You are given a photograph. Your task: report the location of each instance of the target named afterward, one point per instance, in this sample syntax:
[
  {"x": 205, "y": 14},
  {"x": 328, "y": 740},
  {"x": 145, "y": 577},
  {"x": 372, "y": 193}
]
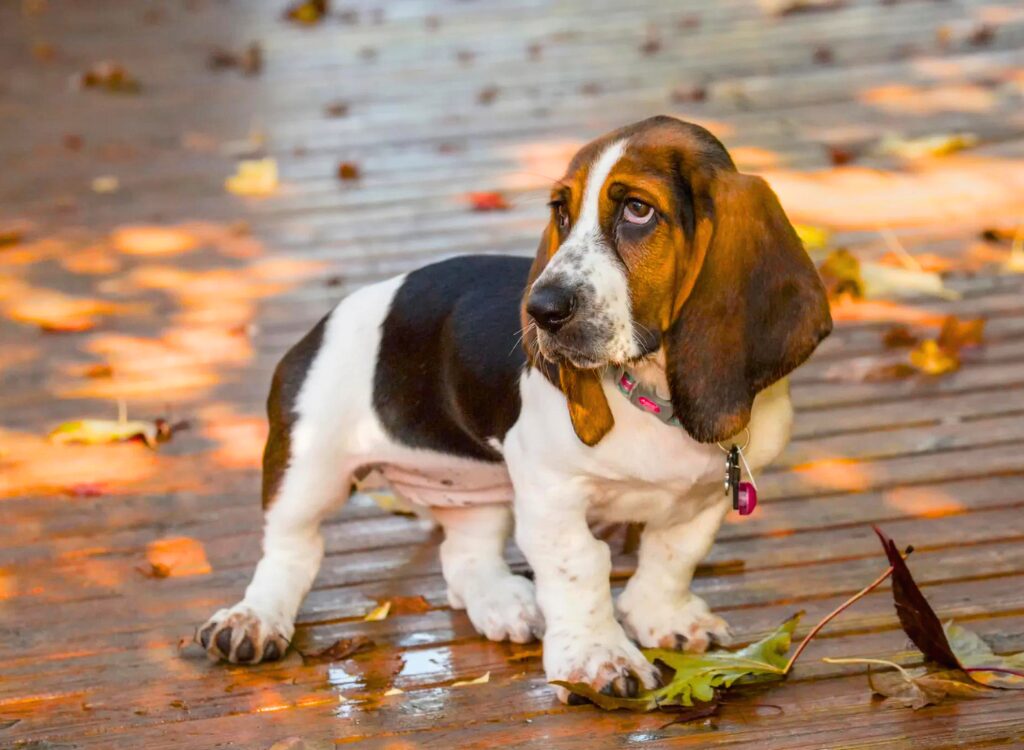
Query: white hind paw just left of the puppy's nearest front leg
[{"x": 506, "y": 610}]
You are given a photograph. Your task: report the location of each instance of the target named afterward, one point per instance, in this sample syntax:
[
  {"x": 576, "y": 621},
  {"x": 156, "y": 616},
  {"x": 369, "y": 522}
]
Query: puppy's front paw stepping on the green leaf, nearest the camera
[{"x": 608, "y": 662}]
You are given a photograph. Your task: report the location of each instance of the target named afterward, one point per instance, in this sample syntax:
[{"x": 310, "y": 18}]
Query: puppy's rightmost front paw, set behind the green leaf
[{"x": 672, "y": 622}]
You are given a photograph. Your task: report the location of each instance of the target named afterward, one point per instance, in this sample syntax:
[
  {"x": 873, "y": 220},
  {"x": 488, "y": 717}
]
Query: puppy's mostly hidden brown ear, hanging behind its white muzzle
[{"x": 588, "y": 406}]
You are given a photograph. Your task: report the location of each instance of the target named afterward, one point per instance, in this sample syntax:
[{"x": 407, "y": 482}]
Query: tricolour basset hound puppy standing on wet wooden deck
[{"x": 483, "y": 385}]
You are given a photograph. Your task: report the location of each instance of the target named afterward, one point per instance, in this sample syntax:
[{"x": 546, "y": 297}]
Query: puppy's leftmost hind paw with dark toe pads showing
[{"x": 242, "y": 636}]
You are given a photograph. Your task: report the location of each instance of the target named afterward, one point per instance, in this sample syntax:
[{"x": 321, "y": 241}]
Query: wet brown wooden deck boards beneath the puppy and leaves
[{"x": 445, "y": 99}]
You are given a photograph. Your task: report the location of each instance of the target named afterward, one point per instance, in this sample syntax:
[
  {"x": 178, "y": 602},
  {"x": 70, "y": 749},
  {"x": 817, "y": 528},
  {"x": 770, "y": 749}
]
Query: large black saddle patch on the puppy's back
[{"x": 449, "y": 366}]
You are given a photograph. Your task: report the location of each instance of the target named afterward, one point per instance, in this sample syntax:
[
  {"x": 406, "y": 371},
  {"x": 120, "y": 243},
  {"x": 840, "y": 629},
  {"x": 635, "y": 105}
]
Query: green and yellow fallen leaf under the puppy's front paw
[{"x": 697, "y": 678}]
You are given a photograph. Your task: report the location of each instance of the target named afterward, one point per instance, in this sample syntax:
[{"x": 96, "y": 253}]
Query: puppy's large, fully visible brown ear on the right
[{"x": 756, "y": 312}]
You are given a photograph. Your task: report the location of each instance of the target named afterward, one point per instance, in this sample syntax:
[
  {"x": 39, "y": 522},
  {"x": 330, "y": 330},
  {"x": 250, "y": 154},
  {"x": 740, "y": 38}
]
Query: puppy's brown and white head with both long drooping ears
[{"x": 657, "y": 242}]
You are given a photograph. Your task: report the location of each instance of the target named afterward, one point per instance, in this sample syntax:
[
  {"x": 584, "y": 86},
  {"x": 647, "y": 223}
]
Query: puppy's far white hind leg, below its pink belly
[{"x": 501, "y": 605}]
